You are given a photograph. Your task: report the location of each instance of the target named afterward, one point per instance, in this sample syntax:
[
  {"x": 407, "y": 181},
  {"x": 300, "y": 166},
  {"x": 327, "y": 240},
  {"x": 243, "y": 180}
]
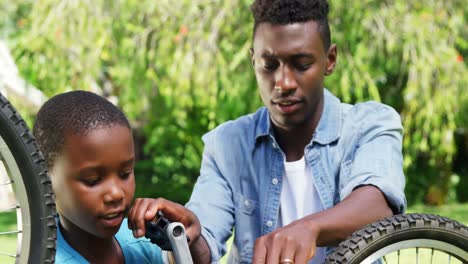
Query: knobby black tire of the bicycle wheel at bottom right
[{"x": 377, "y": 232}]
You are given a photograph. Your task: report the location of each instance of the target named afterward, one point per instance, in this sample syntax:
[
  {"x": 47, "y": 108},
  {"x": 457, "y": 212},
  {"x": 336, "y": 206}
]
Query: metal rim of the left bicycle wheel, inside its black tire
[{"x": 9, "y": 167}]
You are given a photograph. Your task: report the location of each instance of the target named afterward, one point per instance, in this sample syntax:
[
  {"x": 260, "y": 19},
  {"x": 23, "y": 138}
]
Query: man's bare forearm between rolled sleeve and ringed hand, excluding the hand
[{"x": 364, "y": 205}]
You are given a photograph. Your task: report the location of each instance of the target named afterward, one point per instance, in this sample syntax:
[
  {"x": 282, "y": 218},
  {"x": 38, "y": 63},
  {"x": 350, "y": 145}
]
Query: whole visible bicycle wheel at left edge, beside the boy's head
[{"x": 23, "y": 173}]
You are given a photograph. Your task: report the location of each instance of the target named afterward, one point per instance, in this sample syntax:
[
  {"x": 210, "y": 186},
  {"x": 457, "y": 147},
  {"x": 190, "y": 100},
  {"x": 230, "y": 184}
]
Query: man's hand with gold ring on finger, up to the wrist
[{"x": 294, "y": 243}]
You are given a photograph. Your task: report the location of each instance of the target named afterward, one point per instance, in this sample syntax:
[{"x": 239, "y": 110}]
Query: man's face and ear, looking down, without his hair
[{"x": 290, "y": 63}]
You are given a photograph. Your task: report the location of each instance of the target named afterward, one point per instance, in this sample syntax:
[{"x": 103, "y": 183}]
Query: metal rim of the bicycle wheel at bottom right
[{"x": 453, "y": 253}]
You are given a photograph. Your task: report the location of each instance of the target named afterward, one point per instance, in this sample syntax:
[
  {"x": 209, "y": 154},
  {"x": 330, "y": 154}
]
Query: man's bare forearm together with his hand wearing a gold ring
[{"x": 297, "y": 241}]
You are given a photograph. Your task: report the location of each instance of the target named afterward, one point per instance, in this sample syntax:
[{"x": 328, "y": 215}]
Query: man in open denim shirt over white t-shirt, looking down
[{"x": 303, "y": 172}]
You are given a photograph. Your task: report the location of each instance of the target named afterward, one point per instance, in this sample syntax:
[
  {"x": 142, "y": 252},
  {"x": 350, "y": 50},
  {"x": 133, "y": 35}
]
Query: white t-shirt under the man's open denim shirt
[{"x": 299, "y": 198}]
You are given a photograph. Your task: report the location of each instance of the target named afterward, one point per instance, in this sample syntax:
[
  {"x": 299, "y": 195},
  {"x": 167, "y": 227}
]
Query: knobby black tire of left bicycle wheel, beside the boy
[{"x": 13, "y": 121}]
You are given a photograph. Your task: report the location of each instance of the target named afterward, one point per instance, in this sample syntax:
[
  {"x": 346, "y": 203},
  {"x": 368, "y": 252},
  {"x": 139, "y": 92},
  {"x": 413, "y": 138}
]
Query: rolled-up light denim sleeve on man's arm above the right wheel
[{"x": 376, "y": 157}]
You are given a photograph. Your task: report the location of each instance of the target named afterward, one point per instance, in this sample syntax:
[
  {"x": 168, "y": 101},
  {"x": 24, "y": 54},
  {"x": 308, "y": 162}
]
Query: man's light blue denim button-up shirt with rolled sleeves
[{"x": 242, "y": 168}]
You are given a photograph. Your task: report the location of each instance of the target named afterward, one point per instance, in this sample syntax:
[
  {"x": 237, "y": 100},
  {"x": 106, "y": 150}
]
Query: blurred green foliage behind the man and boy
[{"x": 180, "y": 68}]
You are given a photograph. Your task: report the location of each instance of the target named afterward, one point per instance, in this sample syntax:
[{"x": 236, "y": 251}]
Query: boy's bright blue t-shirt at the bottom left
[{"x": 135, "y": 250}]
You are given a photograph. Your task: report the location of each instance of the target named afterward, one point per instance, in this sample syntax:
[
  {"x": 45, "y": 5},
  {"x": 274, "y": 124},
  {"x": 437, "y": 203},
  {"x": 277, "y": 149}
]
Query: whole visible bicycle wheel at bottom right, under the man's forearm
[{"x": 411, "y": 238}]
